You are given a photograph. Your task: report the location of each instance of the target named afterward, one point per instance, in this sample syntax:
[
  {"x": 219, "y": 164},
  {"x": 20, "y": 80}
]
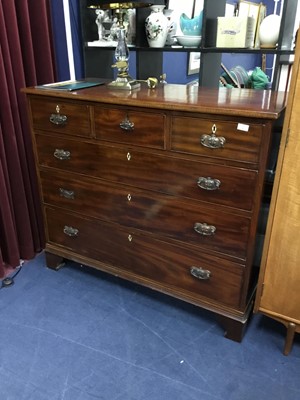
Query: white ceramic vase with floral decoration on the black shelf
[{"x": 156, "y": 26}]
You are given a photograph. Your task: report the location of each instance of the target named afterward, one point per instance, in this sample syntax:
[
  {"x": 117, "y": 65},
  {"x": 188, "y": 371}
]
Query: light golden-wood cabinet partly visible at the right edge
[{"x": 278, "y": 294}]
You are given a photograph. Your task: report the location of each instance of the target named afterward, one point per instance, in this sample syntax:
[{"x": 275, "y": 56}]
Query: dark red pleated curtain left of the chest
[{"x": 26, "y": 59}]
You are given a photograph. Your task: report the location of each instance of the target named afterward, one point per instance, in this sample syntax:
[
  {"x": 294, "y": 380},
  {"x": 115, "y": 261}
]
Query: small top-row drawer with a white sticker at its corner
[{"x": 221, "y": 139}]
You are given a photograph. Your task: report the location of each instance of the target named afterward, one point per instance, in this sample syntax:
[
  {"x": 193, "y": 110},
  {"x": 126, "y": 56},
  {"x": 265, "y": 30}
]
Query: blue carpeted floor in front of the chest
[{"x": 81, "y": 335}]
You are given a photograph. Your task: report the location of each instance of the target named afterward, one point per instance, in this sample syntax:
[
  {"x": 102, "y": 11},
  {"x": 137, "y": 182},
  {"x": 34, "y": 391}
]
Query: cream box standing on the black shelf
[{"x": 235, "y": 32}]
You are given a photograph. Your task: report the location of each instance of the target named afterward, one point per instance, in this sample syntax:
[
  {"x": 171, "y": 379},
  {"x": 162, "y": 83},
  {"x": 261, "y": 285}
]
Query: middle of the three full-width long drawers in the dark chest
[{"x": 162, "y": 215}]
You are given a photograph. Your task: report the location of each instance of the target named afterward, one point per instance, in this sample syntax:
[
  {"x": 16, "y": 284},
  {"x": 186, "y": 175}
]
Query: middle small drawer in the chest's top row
[{"x": 131, "y": 127}]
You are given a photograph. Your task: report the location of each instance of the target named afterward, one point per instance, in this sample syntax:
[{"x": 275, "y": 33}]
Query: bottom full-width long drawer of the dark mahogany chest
[{"x": 159, "y": 264}]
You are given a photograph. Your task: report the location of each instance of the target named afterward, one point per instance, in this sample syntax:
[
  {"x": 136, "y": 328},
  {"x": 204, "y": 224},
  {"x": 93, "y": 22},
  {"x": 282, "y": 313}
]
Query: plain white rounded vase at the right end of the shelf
[{"x": 269, "y": 31}]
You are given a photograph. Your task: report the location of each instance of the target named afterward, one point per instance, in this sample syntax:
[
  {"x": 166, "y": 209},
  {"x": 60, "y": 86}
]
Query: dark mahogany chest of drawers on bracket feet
[{"x": 161, "y": 187}]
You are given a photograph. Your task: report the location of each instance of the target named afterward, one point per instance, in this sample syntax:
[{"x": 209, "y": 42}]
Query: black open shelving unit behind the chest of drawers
[{"x": 149, "y": 61}]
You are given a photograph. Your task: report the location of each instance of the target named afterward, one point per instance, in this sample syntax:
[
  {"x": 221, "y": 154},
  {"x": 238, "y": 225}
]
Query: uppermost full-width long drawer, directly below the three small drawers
[{"x": 184, "y": 178}]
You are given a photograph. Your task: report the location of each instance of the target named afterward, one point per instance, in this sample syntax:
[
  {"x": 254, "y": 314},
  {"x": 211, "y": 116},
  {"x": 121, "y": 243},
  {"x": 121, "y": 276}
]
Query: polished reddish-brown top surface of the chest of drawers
[{"x": 238, "y": 102}]
